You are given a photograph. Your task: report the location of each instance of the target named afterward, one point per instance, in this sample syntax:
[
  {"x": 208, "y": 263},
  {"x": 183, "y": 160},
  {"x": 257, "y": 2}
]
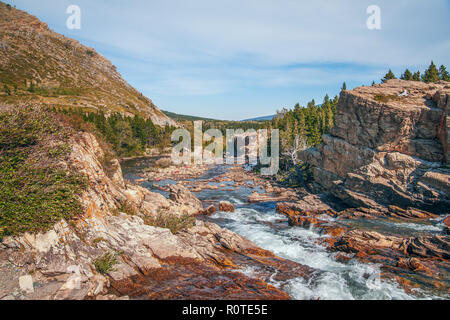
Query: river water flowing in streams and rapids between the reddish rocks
[{"x": 268, "y": 229}]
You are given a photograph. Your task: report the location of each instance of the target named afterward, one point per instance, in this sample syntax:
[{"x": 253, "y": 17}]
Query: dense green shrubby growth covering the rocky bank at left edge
[{"x": 36, "y": 190}]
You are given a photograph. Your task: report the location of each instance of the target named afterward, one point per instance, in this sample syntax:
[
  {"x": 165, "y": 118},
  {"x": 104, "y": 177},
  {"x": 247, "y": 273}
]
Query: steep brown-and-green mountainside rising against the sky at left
[{"x": 39, "y": 66}]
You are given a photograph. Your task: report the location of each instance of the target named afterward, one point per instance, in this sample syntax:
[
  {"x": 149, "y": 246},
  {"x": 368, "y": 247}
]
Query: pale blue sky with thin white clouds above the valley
[{"x": 238, "y": 59}]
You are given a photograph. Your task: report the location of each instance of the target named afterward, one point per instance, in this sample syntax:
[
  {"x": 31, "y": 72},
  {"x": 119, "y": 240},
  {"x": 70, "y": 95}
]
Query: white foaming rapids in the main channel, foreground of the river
[{"x": 331, "y": 280}]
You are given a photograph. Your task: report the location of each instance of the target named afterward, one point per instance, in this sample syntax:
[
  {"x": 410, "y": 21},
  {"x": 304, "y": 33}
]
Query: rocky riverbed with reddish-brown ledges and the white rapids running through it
[{"x": 350, "y": 253}]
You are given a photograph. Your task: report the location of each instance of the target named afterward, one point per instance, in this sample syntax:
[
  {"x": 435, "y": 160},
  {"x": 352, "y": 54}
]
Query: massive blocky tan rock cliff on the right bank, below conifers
[{"x": 390, "y": 145}]
